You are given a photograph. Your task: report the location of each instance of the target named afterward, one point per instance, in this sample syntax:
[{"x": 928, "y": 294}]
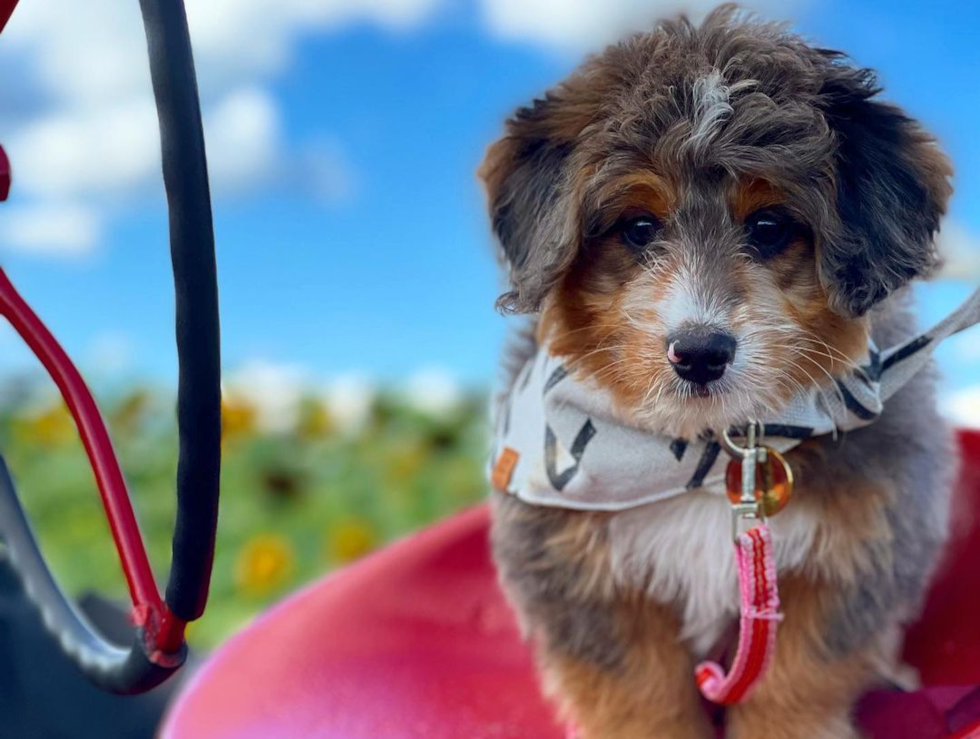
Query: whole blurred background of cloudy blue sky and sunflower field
[{"x": 357, "y": 272}]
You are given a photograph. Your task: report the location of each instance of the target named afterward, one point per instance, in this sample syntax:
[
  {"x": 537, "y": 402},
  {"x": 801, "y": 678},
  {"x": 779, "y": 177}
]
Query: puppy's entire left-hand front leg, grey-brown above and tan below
[{"x": 610, "y": 658}]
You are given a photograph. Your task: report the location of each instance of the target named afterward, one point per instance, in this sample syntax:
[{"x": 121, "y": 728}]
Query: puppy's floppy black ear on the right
[{"x": 892, "y": 189}]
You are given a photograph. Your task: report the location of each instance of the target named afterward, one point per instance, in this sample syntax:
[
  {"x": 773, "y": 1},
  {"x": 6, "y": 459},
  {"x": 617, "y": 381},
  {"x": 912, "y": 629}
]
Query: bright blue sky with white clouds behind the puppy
[{"x": 345, "y": 134}]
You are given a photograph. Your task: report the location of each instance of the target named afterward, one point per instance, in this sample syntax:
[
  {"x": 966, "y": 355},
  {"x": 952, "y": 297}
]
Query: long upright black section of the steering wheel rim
[{"x": 185, "y": 176}]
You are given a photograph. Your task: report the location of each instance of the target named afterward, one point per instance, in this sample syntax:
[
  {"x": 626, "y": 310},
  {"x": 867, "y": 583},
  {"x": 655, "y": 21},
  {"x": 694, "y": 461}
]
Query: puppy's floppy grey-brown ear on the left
[{"x": 528, "y": 182}]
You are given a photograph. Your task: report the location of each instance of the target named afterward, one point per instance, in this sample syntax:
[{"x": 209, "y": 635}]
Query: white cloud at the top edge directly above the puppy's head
[{"x": 578, "y": 24}]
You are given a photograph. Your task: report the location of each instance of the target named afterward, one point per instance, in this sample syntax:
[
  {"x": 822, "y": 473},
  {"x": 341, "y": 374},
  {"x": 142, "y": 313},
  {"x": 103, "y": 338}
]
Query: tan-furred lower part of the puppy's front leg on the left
[{"x": 647, "y": 692}]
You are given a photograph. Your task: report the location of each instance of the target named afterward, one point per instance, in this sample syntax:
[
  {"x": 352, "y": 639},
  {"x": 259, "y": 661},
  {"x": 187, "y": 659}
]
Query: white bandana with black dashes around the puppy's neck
[{"x": 559, "y": 442}]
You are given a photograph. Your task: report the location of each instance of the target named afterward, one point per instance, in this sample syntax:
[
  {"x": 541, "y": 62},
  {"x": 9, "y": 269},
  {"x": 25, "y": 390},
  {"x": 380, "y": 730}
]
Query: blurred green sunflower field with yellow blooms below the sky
[{"x": 295, "y": 503}]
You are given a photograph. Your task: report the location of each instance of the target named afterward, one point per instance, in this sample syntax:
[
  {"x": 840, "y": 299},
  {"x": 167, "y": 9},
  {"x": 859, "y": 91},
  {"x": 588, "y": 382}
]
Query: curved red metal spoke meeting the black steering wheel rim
[{"x": 164, "y": 629}]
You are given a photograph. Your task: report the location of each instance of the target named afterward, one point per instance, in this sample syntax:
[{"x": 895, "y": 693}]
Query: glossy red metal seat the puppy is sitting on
[{"x": 417, "y": 641}]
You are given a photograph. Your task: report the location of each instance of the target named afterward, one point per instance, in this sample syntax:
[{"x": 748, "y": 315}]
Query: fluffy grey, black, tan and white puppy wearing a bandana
[{"x": 730, "y": 185}]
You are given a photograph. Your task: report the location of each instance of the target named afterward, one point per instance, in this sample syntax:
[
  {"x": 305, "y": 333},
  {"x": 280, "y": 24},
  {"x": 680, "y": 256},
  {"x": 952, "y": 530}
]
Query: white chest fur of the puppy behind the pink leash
[{"x": 680, "y": 553}]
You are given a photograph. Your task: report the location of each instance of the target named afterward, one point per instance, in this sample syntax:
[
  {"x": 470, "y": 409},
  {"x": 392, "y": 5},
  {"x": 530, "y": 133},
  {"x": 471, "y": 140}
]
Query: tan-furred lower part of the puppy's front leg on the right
[{"x": 811, "y": 686}]
